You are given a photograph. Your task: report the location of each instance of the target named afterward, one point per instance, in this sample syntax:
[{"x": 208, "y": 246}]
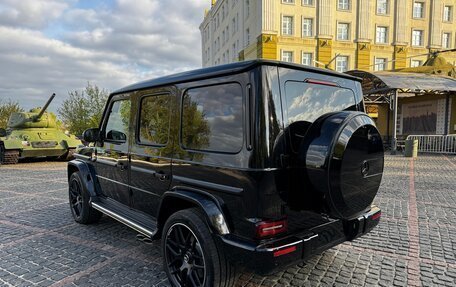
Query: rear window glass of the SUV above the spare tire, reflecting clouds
[{"x": 306, "y": 102}]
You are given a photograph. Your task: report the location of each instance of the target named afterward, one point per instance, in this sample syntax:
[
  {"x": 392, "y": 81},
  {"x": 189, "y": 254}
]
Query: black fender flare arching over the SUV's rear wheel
[{"x": 208, "y": 204}]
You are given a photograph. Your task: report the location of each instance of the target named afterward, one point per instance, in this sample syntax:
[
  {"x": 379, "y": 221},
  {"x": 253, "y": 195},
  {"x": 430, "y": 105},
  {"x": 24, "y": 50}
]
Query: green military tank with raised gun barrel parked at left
[{"x": 35, "y": 134}]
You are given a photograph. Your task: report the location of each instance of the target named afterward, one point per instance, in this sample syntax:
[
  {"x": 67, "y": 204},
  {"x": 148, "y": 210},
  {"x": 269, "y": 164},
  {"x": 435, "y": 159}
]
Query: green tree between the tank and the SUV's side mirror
[{"x": 83, "y": 109}]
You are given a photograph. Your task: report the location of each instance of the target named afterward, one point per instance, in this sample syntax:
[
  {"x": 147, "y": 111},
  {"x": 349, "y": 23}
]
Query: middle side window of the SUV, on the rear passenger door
[{"x": 154, "y": 120}]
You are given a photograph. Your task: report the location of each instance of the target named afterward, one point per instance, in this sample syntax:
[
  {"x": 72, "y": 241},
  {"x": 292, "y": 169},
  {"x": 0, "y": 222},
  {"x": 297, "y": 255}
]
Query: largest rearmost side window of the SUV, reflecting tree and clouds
[{"x": 212, "y": 118}]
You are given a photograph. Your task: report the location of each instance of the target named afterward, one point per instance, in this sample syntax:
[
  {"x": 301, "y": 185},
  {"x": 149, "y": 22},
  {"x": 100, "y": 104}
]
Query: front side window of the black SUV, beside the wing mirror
[{"x": 118, "y": 122}]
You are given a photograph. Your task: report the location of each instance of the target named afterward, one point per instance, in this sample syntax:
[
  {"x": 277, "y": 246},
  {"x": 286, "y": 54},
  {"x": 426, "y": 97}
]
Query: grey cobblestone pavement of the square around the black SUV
[{"x": 414, "y": 245}]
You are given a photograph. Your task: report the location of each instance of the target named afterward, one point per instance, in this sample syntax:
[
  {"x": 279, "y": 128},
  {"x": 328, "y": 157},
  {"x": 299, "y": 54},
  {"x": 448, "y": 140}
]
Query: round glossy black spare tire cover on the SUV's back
[{"x": 342, "y": 156}]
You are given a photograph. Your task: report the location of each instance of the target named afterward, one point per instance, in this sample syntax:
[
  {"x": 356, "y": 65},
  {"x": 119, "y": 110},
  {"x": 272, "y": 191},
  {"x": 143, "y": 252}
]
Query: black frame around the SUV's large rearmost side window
[{"x": 243, "y": 124}]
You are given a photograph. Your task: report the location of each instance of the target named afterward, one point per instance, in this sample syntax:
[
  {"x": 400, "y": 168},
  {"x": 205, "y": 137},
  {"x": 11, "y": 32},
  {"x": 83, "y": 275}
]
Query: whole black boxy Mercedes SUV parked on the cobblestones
[{"x": 259, "y": 163}]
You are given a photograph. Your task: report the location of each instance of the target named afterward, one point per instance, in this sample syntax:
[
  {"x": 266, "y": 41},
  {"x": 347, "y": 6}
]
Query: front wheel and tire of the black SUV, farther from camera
[{"x": 79, "y": 201}]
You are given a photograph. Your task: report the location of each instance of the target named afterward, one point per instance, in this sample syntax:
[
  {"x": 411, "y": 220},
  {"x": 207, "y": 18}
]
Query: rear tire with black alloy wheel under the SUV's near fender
[{"x": 190, "y": 254}]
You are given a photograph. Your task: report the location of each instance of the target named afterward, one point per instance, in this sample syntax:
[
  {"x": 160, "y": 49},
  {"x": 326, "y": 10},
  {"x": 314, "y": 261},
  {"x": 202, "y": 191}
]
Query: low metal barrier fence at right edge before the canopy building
[{"x": 435, "y": 143}]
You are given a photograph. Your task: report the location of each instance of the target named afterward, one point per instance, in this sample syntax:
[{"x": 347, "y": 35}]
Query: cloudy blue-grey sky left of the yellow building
[{"x": 58, "y": 46}]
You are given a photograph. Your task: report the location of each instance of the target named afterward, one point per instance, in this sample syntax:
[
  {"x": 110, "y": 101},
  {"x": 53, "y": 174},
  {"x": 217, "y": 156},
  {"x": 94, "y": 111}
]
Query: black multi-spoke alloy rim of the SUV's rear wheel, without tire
[{"x": 184, "y": 256}]
